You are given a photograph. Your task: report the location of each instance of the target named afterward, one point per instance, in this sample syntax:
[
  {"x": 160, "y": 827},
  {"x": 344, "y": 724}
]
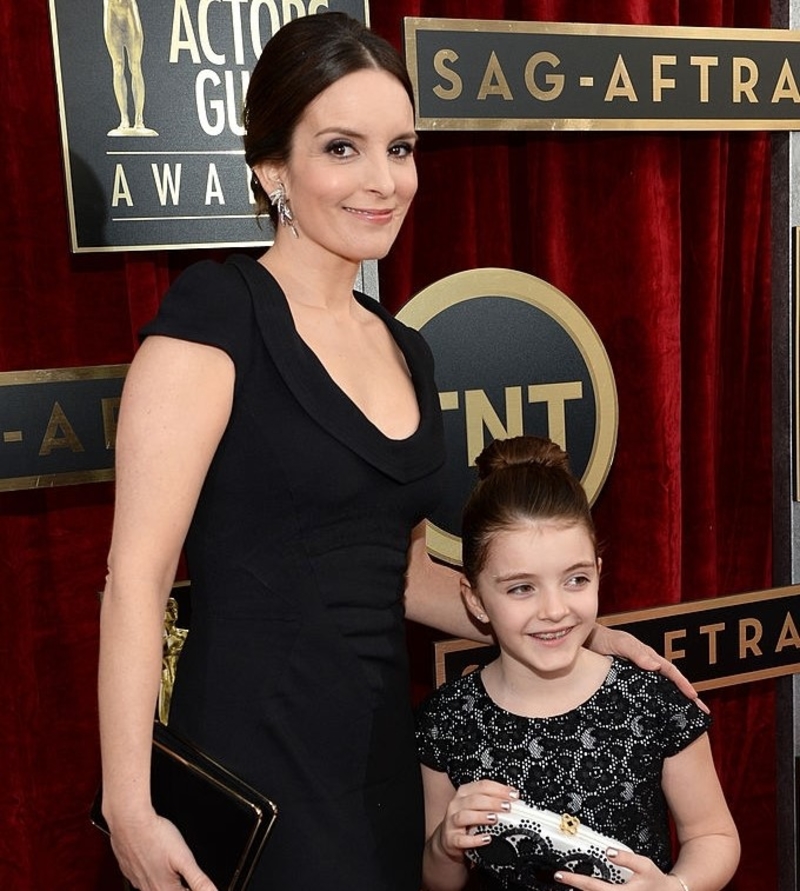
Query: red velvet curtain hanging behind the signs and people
[{"x": 662, "y": 239}]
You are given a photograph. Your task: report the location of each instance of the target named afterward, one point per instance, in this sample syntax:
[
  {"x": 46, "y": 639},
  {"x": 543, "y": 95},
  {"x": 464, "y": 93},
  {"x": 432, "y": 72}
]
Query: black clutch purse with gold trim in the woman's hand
[{"x": 224, "y": 821}]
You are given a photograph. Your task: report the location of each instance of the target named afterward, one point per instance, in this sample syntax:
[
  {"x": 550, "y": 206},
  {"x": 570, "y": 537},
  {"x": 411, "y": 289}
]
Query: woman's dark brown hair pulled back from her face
[{"x": 303, "y": 58}]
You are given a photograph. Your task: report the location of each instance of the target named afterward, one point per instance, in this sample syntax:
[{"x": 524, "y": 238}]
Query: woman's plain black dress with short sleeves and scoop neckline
[{"x": 294, "y": 674}]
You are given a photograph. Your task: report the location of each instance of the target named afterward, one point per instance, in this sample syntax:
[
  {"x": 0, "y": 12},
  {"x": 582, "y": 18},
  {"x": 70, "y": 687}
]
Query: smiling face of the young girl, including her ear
[{"x": 538, "y": 589}]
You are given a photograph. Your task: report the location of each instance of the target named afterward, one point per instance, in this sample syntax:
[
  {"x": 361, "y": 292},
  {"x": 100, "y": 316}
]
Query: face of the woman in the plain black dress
[{"x": 351, "y": 174}]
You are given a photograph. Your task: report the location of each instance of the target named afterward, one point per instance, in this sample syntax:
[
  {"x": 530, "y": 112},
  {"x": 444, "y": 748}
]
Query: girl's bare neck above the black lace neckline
[{"x": 518, "y": 689}]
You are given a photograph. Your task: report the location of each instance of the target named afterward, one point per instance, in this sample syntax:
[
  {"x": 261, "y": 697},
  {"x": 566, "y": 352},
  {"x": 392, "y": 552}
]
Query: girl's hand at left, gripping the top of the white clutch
[{"x": 474, "y": 805}]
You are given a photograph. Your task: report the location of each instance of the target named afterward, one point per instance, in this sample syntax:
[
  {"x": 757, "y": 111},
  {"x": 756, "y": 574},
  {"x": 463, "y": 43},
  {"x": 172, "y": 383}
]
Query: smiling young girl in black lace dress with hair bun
[{"x": 551, "y": 723}]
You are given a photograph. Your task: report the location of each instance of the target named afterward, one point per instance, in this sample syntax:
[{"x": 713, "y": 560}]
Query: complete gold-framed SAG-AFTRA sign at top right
[{"x": 502, "y": 75}]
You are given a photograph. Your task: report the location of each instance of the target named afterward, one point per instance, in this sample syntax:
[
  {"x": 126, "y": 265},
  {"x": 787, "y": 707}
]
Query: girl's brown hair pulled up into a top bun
[{"x": 523, "y": 479}]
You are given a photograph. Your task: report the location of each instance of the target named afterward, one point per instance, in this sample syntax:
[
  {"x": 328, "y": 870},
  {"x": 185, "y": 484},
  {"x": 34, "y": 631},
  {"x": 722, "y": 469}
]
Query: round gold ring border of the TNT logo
[{"x": 494, "y": 281}]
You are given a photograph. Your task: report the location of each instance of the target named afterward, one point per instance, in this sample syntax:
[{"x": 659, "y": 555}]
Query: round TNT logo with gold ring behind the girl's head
[{"x": 513, "y": 355}]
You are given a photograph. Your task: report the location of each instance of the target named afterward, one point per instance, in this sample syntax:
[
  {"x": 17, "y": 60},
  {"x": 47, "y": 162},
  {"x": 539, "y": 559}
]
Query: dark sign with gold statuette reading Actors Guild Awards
[{"x": 150, "y": 96}]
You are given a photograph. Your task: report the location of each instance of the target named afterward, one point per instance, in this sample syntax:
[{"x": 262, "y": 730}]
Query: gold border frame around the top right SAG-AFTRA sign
[{"x": 413, "y": 24}]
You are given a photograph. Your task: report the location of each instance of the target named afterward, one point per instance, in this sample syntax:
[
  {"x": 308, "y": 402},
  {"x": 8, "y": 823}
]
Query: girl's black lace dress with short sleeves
[{"x": 600, "y": 762}]
